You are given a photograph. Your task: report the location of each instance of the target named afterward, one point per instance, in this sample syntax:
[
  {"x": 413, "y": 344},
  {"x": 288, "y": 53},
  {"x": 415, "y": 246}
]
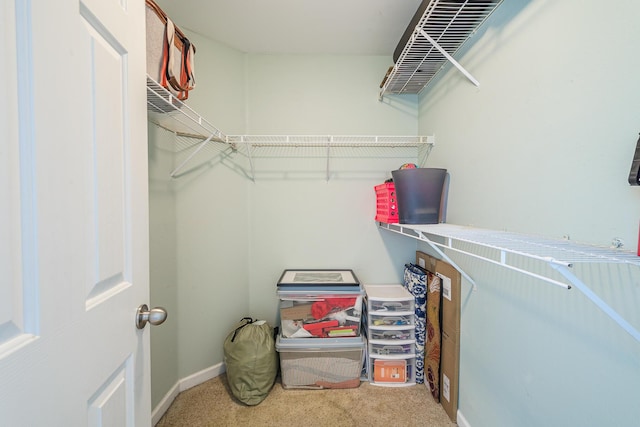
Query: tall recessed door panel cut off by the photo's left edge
[{"x": 17, "y": 293}]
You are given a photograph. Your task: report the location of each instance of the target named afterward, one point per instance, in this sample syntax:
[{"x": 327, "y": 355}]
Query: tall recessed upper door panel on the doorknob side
[{"x": 108, "y": 74}]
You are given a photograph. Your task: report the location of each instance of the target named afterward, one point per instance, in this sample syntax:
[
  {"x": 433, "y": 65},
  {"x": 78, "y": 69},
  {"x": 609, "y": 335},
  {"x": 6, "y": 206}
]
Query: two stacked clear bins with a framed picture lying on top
[{"x": 320, "y": 343}]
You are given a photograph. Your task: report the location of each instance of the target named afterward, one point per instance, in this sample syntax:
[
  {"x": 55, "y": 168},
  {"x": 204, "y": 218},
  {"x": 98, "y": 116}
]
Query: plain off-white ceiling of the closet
[{"x": 352, "y": 27}]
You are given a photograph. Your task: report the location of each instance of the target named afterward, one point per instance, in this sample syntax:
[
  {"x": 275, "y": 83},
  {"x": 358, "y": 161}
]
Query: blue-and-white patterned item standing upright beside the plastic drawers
[{"x": 415, "y": 282}]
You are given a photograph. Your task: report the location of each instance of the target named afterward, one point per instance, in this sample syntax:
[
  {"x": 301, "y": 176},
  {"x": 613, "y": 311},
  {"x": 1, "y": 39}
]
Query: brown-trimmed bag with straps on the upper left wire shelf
[{"x": 170, "y": 54}]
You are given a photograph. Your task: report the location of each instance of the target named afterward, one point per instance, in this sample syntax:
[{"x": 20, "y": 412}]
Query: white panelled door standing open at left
[{"x": 73, "y": 214}]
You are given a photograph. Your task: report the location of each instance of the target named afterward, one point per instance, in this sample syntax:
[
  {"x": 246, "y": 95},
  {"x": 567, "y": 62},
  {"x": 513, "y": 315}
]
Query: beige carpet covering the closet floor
[{"x": 212, "y": 404}]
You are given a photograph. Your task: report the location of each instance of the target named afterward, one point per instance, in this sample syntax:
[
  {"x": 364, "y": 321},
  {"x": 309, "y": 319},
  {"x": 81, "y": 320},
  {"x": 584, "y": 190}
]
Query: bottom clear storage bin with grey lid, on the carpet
[{"x": 318, "y": 364}]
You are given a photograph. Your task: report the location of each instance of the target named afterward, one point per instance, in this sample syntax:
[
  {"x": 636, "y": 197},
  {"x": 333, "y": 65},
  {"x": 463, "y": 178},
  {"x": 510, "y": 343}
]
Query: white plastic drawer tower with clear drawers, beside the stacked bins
[{"x": 390, "y": 329}]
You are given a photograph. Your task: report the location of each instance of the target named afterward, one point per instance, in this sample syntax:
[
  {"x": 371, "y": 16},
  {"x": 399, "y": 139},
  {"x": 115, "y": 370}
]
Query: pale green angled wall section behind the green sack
[{"x": 212, "y": 217}]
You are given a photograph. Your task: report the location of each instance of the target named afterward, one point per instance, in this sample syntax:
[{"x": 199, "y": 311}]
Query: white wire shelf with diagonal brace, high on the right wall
[{"x": 443, "y": 28}]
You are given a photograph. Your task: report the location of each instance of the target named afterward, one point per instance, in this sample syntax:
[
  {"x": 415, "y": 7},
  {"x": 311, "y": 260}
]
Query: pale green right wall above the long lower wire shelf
[{"x": 549, "y": 135}]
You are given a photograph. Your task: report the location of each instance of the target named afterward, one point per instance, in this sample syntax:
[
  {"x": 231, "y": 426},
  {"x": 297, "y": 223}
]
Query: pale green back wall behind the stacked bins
[{"x": 298, "y": 219}]
